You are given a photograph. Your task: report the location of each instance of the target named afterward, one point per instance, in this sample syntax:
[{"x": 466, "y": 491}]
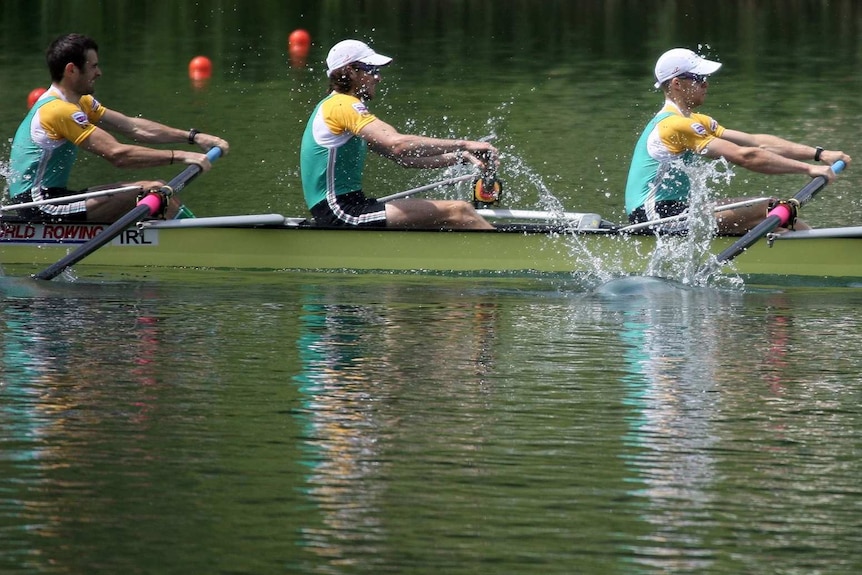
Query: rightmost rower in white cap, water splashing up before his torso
[{"x": 657, "y": 187}]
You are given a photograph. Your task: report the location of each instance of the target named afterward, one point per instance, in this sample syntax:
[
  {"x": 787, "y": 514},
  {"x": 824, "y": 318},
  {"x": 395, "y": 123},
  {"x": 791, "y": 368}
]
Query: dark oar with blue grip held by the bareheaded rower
[{"x": 148, "y": 205}]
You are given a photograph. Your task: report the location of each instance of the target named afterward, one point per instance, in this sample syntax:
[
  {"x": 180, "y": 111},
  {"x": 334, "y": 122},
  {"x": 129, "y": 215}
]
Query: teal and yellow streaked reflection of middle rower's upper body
[{"x": 341, "y": 434}]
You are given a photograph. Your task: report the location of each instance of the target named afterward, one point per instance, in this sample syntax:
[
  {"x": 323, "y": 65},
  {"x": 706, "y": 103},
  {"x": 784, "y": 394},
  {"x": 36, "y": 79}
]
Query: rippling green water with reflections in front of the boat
[{"x": 363, "y": 424}]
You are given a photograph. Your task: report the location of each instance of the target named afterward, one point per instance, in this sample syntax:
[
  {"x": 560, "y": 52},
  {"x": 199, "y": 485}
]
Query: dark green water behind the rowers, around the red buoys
[{"x": 564, "y": 86}]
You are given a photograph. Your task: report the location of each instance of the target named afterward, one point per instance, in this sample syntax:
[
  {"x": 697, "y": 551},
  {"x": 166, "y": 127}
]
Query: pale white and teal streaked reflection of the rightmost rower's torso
[{"x": 671, "y": 392}]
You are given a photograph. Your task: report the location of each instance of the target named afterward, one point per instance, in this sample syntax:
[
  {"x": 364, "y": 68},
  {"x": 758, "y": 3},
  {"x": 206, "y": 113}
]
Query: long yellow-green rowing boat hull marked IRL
[{"x": 572, "y": 242}]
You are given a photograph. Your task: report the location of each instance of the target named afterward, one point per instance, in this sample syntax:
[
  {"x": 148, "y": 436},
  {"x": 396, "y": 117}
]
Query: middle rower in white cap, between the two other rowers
[{"x": 341, "y": 128}]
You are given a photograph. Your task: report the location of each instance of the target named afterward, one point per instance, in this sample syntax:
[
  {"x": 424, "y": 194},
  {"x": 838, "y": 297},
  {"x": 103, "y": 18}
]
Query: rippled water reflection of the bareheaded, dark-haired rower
[{"x": 64, "y": 378}]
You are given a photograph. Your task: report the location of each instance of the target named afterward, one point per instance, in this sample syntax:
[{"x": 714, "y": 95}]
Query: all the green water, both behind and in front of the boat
[{"x": 213, "y": 422}]
